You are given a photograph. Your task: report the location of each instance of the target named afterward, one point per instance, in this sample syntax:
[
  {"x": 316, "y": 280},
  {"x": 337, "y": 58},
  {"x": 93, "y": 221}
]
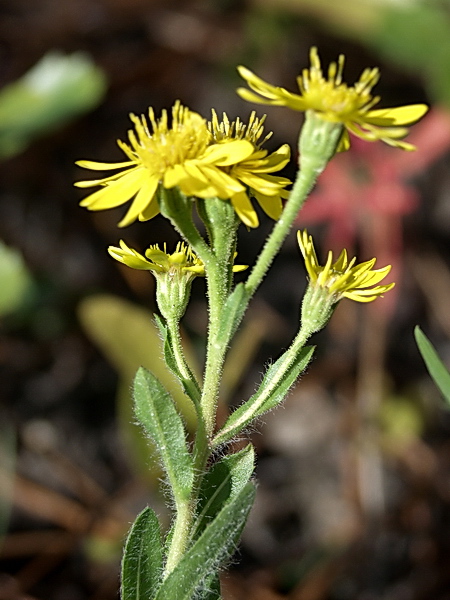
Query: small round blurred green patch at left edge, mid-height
[{"x": 15, "y": 280}]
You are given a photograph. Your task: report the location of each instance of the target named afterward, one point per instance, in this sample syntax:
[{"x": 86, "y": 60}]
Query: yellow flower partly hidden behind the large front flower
[{"x": 254, "y": 171}]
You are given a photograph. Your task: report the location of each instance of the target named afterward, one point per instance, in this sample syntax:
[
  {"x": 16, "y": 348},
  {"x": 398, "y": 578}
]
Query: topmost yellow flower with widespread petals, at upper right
[{"x": 335, "y": 101}]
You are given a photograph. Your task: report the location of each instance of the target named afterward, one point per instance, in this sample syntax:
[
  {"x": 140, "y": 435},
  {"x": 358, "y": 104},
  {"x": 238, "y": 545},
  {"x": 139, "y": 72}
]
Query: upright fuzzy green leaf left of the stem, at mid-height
[{"x": 156, "y": 411}]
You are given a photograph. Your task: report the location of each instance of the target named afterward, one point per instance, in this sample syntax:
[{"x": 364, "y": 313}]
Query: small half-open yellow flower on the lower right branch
[{"x": 343, "y": 279}]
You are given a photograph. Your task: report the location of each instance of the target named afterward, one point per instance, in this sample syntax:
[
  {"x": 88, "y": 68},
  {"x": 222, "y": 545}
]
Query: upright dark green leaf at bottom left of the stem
[{"x": 142, "y": 563}]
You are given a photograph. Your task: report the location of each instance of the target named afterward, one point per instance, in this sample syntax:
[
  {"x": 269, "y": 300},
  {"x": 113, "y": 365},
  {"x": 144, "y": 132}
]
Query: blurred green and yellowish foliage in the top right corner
[{"x": 413, "y": 34}]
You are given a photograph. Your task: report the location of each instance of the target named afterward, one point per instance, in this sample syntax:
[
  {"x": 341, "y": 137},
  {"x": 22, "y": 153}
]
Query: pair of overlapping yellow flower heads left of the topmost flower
[{"x": 200, "y": 162}]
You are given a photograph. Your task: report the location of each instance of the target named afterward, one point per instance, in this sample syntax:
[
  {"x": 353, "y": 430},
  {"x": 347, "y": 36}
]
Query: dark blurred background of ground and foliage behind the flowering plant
[{"x": 354, "y": 471}]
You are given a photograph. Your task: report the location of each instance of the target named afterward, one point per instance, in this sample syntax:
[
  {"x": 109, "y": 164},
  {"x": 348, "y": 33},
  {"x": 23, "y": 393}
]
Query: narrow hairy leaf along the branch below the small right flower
[{"x": 266, "y": 397}]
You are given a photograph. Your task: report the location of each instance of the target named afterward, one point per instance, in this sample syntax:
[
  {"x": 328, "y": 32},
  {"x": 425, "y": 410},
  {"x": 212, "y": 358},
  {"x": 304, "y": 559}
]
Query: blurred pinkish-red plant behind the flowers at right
[{"x": 364, "y": 193}]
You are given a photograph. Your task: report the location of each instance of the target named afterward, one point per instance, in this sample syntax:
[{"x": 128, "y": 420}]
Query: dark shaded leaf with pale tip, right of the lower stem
[{"x": 222, "y": 483}]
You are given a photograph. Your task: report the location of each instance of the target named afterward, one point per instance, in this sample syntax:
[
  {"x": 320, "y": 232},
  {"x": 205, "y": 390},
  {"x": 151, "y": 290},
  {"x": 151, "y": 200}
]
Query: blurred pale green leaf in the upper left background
[{"x": 51, "y": 93}]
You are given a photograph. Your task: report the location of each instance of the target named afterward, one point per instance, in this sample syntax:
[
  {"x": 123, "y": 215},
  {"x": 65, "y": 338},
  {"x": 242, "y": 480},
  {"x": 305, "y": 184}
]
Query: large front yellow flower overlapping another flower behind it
[{"x": 180, "y": 155}]
